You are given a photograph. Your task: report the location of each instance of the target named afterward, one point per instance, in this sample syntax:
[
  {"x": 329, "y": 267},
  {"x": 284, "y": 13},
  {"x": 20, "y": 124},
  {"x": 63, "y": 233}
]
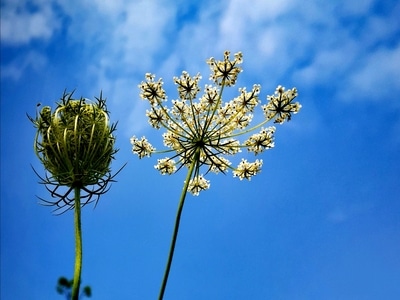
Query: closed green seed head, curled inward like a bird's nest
[{"x": 75, "y": 144}]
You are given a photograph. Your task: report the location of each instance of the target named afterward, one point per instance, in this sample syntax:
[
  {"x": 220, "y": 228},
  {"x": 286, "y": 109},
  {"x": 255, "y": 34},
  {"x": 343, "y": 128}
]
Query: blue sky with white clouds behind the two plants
[{"x": 321, "y": 221}]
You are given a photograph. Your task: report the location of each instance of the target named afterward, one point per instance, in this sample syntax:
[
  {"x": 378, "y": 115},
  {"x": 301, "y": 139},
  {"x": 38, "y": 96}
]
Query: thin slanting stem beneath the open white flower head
[{"x": 177, "y": 221}]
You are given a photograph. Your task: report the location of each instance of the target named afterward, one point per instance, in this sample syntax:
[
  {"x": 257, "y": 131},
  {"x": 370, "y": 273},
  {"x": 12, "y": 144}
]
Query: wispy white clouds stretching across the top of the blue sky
[{"x": 354, "y": 48}]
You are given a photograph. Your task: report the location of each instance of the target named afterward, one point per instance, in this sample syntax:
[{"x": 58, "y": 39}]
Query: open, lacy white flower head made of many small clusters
[{"x": 201, "y": 132}]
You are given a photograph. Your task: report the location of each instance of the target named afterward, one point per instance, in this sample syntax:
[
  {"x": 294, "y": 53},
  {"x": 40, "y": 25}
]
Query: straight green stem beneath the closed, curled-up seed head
[{"x": 78, "y": 245}]
